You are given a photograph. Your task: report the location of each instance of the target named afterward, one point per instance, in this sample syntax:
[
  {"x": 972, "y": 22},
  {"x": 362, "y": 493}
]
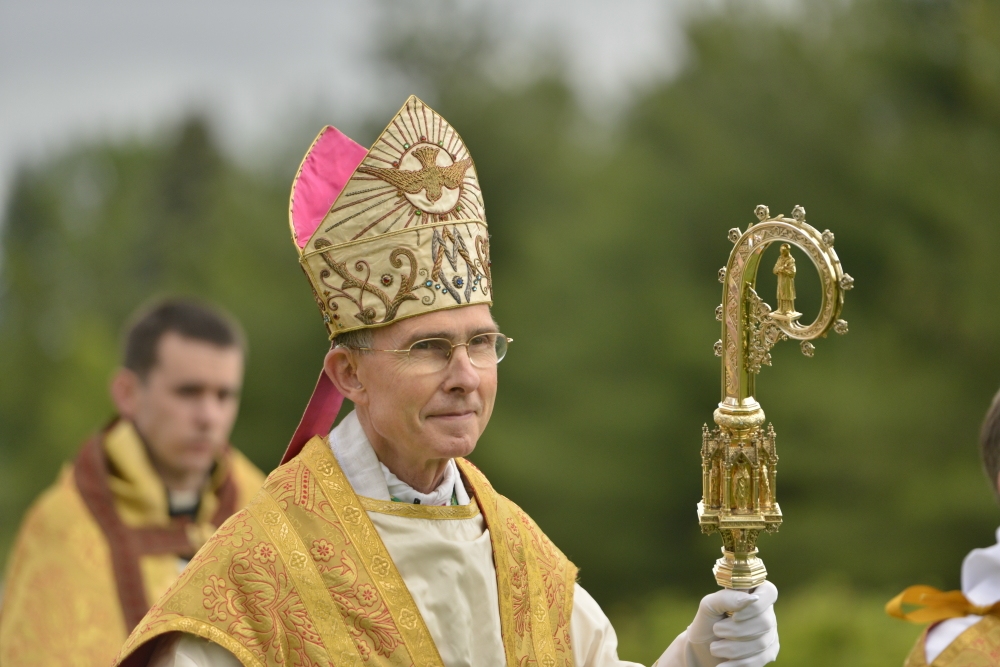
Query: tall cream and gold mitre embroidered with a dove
[{"x": 395, "y": 231}]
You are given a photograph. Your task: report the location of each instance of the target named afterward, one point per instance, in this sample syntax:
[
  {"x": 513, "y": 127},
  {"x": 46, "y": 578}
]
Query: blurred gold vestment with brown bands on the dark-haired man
[{"x": 99, "y": 547}]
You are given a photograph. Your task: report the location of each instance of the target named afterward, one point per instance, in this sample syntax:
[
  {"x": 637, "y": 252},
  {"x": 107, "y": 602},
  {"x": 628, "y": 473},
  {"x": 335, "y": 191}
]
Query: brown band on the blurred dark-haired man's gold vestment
[{"x": 127, "y": 544}]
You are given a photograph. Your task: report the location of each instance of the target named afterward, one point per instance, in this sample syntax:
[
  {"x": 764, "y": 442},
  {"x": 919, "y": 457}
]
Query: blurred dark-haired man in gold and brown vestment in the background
[{"x": 121, "y": 522}]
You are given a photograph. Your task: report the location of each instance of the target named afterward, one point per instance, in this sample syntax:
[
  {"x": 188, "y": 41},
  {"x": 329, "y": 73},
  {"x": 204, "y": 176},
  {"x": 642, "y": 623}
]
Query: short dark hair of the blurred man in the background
[{"x": 185, "y": 317}]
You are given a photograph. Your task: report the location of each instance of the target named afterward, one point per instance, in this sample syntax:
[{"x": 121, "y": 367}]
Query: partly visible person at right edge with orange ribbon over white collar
[{"x": 965, "y": 630}]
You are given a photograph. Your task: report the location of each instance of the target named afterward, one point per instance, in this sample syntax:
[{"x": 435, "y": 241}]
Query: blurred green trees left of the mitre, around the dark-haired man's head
[{"x": 93, "y": 234}]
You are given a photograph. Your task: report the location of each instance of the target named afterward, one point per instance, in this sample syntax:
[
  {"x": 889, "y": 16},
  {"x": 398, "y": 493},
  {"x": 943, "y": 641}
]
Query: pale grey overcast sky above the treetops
[{"x": 87, "y": 69}]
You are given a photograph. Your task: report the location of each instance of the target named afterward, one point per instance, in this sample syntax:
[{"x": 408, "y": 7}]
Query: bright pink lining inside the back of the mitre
[{"x": 325, "y": 170}]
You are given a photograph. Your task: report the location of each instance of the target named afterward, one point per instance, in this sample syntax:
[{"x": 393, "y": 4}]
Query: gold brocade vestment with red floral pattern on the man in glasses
[{"x": 301, "y": 577}]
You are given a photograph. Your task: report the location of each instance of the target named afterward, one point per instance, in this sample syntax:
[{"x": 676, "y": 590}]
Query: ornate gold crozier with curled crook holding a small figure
[{"x": 738, "y": 456}]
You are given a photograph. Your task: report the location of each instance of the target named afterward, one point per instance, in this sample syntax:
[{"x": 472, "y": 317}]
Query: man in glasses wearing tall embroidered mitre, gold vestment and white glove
[{"x": 378, "y": 543}]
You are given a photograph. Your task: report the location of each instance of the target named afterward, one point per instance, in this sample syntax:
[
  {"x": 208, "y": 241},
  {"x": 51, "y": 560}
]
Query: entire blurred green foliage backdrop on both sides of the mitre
[{"x": 881, "y": 117}]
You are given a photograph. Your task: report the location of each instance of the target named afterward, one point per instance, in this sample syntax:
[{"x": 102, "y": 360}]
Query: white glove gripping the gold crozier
[{"x": 747, "y": 638}]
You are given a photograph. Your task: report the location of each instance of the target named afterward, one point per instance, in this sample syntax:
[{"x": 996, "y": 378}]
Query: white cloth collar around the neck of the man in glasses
[{"x": 370, "y": 478}]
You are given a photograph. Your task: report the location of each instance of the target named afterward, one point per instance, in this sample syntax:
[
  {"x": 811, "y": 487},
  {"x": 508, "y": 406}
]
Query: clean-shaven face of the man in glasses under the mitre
[{"x": 438, "y": 414}]
